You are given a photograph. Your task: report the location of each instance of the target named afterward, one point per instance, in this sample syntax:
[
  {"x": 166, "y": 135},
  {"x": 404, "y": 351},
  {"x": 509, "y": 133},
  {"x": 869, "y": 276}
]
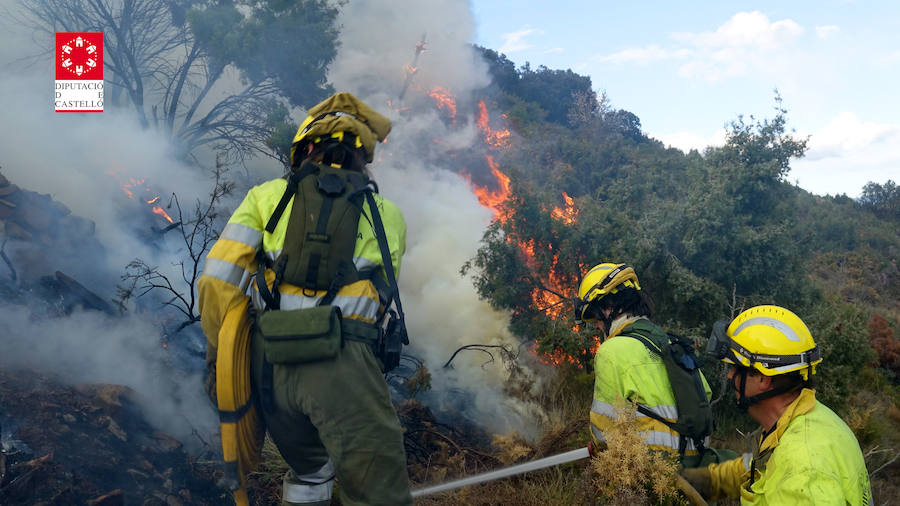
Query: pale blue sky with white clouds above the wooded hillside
[{"x": 687, "y": 69}]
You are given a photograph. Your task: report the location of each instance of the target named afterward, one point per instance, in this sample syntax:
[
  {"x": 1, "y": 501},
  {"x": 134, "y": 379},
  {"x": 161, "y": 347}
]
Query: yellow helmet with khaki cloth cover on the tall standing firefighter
[{"x": 342, "y": 116}]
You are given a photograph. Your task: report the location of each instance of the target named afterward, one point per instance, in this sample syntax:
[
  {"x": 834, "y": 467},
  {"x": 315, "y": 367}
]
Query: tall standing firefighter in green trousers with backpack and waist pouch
[{"x": 325, "y": 403}]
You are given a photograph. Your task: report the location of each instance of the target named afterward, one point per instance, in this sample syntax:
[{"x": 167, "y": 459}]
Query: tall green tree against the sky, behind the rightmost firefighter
[{"x": 736, "y": 228}]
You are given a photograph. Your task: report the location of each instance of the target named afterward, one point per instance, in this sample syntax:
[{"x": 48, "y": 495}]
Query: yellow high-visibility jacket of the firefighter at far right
[{"x": 811, "y": 457}]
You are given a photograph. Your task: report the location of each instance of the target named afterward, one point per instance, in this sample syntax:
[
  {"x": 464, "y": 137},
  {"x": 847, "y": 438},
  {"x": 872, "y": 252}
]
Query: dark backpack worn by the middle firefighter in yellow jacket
[{"x": 695, "y": 420}]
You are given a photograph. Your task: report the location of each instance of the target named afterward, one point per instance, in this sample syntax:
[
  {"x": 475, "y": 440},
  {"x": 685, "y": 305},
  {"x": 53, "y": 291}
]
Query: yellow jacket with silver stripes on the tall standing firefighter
[{"x": 231, "y": 262}]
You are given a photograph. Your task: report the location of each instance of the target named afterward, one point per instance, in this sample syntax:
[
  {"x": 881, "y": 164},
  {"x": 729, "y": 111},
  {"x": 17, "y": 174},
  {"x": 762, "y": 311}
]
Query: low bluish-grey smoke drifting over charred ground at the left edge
[{"x": 89, "y": 347}]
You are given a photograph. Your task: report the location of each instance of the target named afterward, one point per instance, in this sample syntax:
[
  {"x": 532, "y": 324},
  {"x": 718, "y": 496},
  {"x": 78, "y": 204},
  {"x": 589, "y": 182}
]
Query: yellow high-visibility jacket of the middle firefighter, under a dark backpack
[{"x": 625, "y": 372}]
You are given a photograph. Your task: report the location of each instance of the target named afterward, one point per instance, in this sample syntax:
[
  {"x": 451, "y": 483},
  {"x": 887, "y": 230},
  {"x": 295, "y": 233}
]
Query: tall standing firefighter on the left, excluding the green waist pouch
[{"x": 330, "y": 417}]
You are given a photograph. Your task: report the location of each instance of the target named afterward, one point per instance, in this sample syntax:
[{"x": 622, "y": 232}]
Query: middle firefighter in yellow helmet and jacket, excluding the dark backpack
[{"x": 628, "y": 366}]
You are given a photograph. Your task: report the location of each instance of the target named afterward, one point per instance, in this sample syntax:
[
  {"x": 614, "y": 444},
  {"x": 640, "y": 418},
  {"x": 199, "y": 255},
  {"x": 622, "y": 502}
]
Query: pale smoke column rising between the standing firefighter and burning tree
[{"x": 416, "y": 171}]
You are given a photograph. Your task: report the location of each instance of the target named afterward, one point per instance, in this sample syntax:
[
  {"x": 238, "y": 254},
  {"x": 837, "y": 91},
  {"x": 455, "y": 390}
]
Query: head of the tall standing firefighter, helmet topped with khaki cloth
[{"x": 341, "y": 130}]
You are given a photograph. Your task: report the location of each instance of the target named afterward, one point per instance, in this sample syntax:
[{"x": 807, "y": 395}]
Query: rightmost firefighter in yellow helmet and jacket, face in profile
[{"x": 803, "y": 452}]
